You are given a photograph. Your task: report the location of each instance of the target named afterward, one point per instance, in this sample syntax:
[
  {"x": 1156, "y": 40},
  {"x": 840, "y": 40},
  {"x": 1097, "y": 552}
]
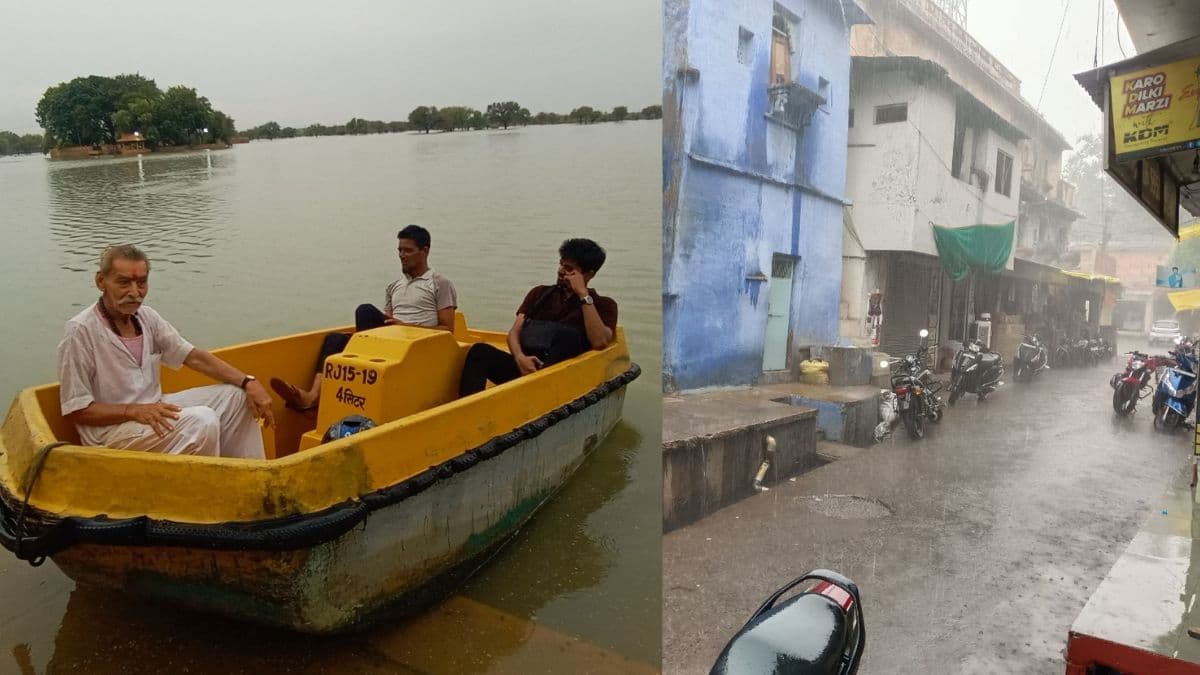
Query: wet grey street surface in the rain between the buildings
[{"x": 986, "y": 543}]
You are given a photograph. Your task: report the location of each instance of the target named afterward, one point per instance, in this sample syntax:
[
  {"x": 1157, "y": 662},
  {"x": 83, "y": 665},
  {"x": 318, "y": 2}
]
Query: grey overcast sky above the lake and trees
[{"x": 302, "y": 62}]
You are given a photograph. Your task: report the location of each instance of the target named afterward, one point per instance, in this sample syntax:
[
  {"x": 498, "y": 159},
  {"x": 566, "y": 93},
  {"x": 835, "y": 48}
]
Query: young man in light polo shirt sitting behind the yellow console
[{"x": 422, "y": 297}]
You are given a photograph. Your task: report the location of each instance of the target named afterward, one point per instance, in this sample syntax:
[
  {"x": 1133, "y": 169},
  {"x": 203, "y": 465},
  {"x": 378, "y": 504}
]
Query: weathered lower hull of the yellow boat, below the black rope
[{"x": 400, "y": 560}]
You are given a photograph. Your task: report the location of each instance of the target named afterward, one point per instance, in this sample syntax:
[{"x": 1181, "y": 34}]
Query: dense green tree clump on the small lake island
[{"x": 95, "y": 110}]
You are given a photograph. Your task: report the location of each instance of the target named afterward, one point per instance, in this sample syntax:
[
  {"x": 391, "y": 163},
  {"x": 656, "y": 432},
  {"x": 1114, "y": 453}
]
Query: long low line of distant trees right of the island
[{"x": 455, "y": 118}]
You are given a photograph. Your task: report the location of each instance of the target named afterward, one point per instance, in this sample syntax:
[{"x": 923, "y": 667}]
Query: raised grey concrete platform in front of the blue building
[{"x": 713, "y": 445}]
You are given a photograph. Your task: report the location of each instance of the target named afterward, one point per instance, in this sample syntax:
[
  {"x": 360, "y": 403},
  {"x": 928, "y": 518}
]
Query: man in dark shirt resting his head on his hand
[{"x": 554, "y": 324}]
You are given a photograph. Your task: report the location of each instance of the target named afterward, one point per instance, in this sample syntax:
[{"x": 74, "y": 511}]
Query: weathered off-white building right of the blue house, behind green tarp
[{"x": 940, "y": 135}]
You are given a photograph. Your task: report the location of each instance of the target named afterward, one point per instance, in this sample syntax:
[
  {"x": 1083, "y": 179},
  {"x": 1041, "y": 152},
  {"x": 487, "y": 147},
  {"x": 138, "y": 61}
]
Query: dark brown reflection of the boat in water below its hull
[{"x": 466, "y": 635}]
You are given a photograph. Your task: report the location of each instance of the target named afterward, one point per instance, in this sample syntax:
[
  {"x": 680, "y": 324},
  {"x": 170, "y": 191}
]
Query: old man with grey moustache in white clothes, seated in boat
[{"x": 109, "y": 374}]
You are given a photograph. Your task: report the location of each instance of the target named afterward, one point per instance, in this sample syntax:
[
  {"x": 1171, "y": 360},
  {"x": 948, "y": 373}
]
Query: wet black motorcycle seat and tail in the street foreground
[{"x": 819, "y": 631}]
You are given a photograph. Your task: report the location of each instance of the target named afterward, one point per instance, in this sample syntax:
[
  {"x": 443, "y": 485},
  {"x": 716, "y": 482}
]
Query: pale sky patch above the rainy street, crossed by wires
[{"x": 1022, "y": 35}]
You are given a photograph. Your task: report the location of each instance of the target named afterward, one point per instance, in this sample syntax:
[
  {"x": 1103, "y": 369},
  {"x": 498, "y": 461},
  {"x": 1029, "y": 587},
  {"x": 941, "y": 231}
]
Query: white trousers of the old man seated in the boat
[{"x": 215, "y": 421}]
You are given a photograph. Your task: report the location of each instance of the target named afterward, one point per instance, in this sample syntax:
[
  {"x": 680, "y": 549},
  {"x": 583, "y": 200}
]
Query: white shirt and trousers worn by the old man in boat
[{"x": 95, "y": 367}]
